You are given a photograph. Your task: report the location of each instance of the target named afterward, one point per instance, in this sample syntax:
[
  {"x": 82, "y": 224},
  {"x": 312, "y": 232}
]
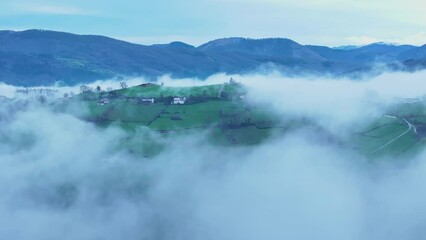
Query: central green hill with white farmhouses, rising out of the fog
[{"x": 221, "y": 112}]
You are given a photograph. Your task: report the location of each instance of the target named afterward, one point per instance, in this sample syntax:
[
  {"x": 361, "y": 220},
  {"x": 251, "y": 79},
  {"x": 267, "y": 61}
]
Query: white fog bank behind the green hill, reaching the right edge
[{"x": 334, "y": 102}]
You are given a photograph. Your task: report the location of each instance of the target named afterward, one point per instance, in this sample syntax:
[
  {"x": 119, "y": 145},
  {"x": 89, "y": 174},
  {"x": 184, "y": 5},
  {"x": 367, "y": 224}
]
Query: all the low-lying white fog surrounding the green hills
[{"x": 62, "y": 178}]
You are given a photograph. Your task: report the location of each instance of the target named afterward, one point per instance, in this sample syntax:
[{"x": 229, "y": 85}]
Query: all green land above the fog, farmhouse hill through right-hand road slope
[{"x": 227, "y": 117}]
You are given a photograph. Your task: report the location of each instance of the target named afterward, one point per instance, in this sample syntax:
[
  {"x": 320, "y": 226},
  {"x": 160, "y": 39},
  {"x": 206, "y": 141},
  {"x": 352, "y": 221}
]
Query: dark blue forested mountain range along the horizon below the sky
[{"x": 40, "y": 57}]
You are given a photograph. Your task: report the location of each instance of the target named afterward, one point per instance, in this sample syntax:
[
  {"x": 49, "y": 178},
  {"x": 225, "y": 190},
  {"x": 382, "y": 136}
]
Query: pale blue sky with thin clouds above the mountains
[{"x": 326, "y": 22}]
